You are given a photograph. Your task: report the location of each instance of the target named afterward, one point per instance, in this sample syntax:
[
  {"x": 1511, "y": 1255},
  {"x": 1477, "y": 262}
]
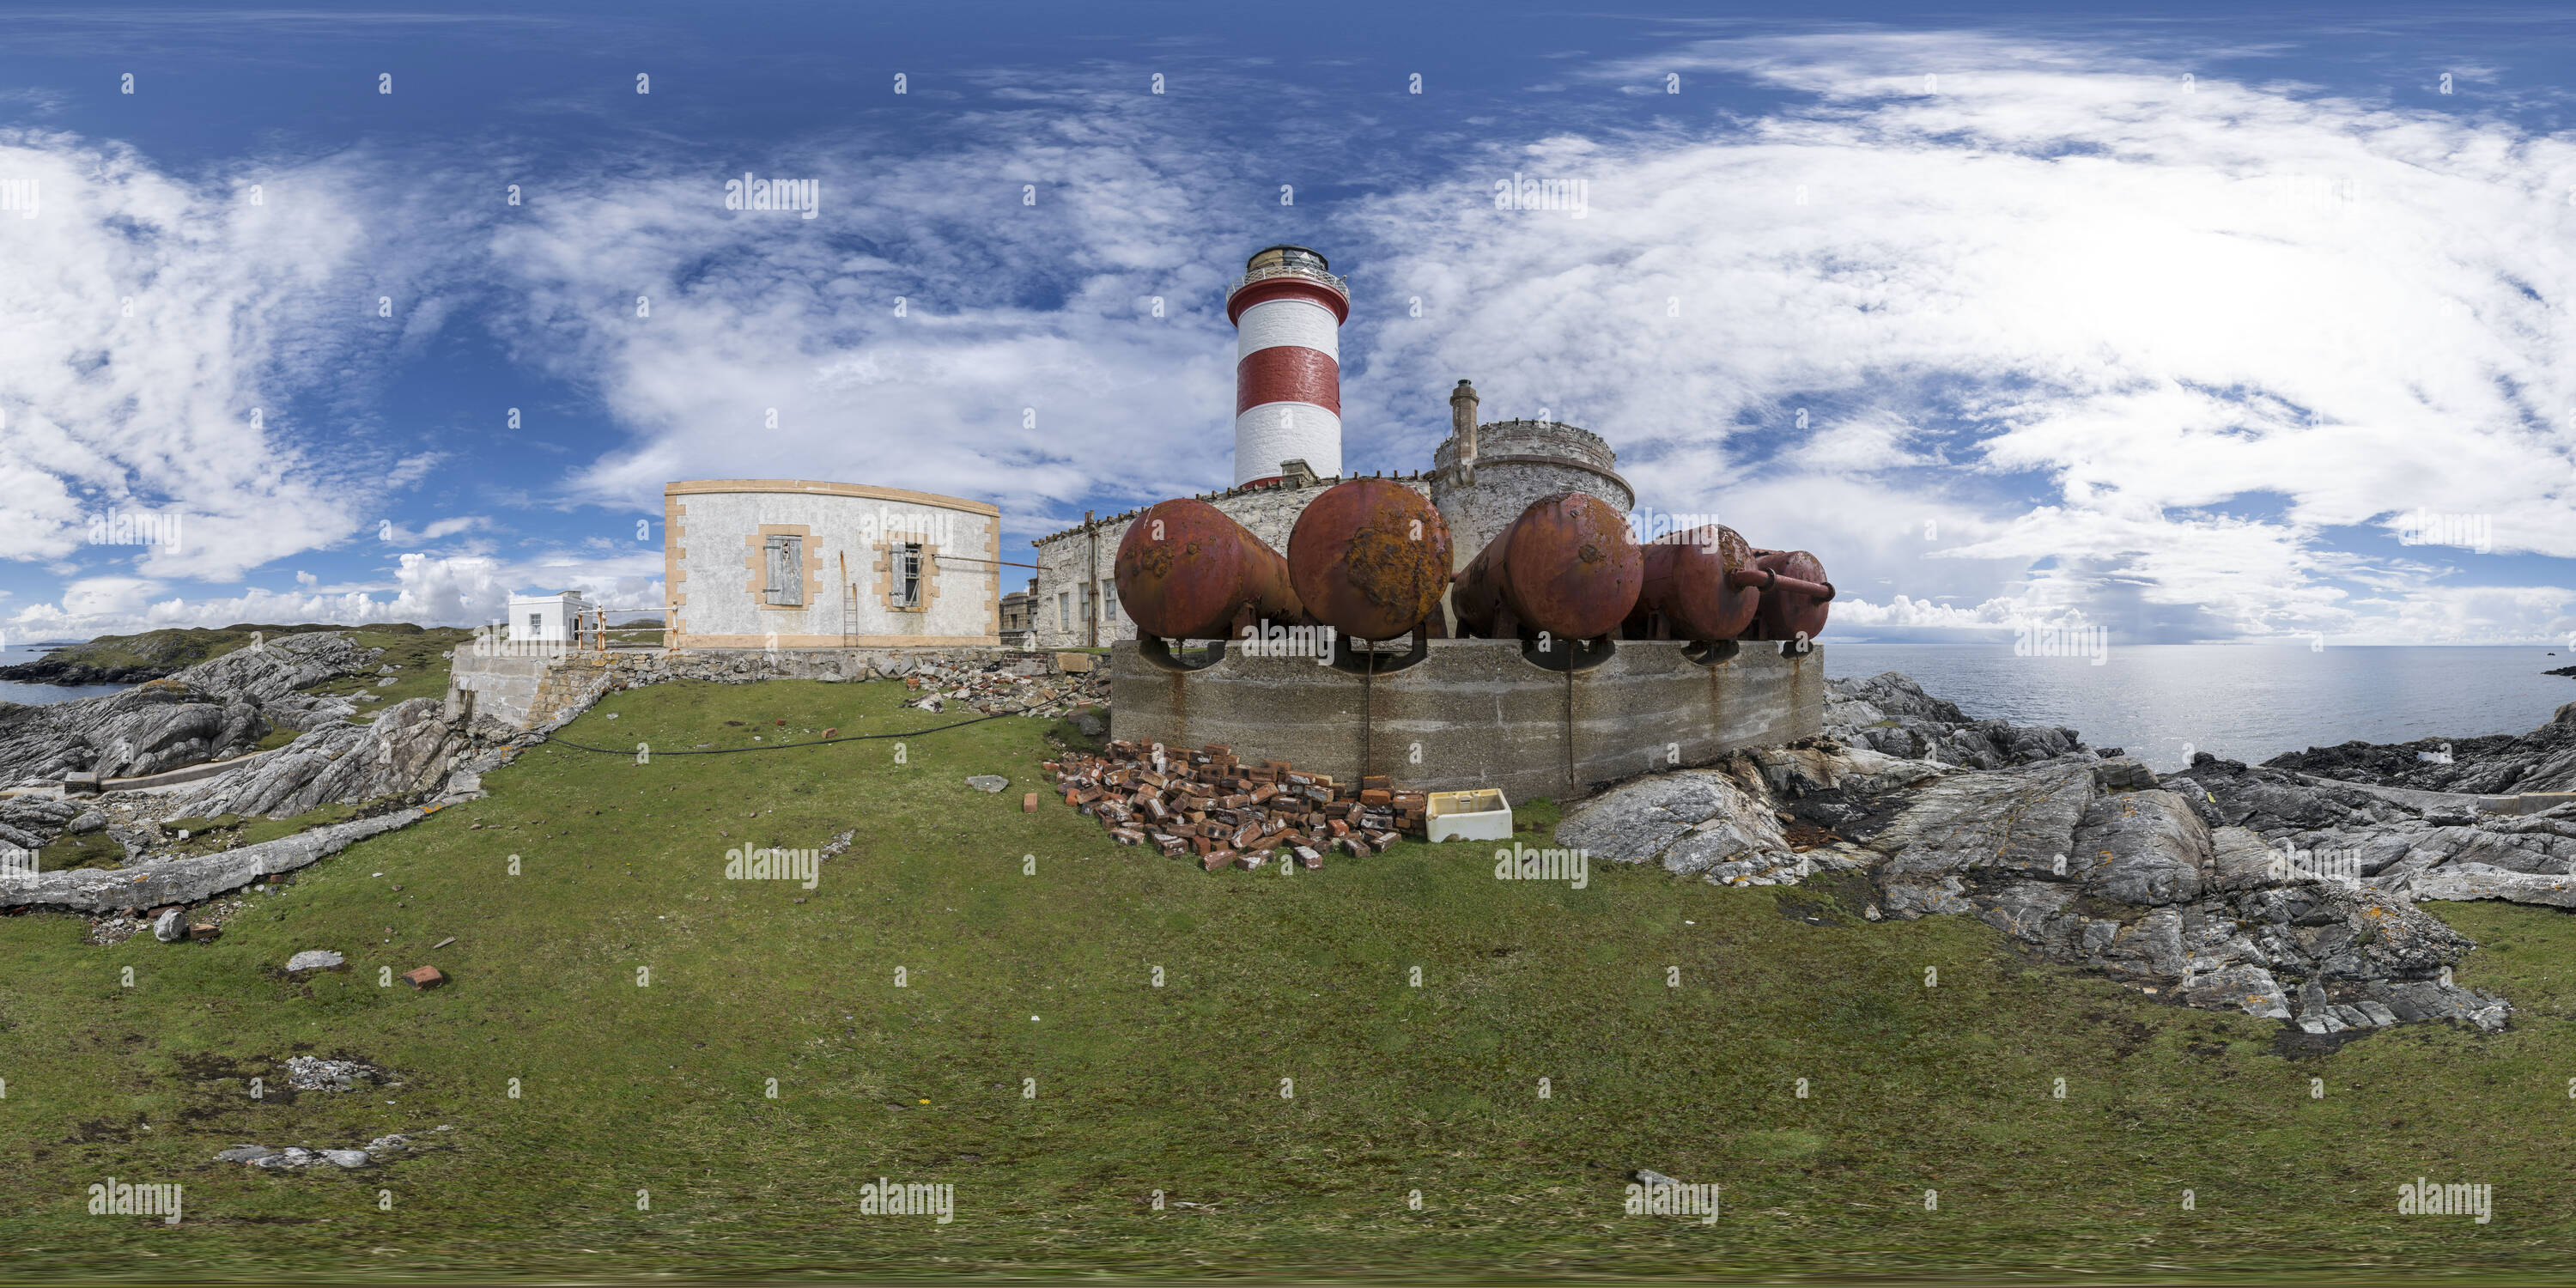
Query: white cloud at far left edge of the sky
[{"x": 151, "y": 318}]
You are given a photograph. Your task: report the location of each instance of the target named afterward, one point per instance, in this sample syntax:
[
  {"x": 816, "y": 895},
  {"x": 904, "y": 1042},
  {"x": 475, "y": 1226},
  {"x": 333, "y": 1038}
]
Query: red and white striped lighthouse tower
[{"x": 1287, "y": 318}]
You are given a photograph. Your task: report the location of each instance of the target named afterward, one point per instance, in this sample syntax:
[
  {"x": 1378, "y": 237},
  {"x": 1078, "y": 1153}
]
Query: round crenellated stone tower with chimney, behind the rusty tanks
[{"x": 1488, "y": 475}]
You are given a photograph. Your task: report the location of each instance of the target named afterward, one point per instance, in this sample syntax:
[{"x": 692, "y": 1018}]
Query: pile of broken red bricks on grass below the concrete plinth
[{"x": 1230, "y": 813}]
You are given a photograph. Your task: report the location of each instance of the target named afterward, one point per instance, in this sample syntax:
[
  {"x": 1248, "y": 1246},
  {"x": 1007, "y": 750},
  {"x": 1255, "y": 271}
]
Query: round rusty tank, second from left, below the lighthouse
[{"x": 1369, "y": 558}]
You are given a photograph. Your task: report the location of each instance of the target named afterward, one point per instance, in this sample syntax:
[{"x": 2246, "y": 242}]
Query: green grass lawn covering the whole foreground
[{"x": 1671, "y": 1019}]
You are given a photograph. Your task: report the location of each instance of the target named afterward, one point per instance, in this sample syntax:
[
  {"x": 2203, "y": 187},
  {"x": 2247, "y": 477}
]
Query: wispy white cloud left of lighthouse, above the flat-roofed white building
[{"x": 1024, "y": 321}]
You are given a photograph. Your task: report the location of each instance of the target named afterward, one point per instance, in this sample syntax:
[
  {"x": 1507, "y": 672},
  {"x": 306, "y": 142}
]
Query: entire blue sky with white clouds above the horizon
[{"x": 2193, "y": 323}]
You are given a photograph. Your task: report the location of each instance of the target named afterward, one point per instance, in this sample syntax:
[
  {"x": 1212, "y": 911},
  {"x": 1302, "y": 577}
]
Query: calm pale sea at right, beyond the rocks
[{"x": 2242, "y": 702}]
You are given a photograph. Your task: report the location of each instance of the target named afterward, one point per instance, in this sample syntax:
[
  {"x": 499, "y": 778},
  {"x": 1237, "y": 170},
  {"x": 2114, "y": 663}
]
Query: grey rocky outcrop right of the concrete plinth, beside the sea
[{"x": 2227, "y": 887}]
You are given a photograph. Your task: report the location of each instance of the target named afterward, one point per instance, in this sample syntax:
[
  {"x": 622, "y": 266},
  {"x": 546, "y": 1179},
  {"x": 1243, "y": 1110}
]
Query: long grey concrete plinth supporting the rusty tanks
[{"x": 1477, "y": 715}]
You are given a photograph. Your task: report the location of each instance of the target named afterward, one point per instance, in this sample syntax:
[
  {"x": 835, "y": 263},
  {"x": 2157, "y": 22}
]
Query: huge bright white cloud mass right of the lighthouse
[{"x": 2183, "y": 352}]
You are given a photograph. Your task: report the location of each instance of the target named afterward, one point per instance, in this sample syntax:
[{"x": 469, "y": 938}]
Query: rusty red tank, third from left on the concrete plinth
[{"x": 1567, "y": 568}]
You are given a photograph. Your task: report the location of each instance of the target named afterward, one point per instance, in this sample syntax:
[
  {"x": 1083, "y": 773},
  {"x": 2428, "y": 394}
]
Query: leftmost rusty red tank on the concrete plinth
[{"x": 1191, "y": 573}]
